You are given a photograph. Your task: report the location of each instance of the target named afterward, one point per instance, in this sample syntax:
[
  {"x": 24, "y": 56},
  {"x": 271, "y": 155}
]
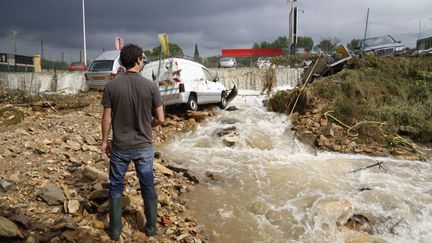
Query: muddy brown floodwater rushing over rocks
[{"x": 275, "y": 189}]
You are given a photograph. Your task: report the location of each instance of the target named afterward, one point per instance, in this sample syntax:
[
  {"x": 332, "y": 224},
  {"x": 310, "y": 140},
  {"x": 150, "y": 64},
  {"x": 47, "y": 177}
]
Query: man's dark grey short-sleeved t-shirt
[{"x": 132, "y": 99}]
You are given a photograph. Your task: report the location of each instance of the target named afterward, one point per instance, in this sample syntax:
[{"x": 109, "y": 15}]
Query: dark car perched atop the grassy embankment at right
[{"x": 381, "y": 46}]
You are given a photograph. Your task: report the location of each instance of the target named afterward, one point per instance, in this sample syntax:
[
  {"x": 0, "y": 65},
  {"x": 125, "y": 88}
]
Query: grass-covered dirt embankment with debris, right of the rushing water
[{"x": 378, "y": 106}]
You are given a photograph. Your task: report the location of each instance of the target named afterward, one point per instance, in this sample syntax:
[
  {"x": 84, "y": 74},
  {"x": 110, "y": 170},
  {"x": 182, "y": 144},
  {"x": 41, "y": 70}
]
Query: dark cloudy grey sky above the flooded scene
[{"x": 211, "y": 24}]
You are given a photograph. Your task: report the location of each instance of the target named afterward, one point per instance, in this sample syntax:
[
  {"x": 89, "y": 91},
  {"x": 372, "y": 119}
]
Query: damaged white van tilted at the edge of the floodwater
[{"x": 183, "y": 81}]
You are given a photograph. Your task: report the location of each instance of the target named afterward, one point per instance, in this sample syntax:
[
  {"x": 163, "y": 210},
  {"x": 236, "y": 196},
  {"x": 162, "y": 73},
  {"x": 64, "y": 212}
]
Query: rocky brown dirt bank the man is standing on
[{"x": 53, "y": 180}]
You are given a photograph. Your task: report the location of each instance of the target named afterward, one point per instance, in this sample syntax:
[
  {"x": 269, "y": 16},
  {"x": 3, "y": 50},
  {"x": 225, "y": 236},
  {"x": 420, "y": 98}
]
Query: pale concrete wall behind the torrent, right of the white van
[{"x": 252, "y": 78}]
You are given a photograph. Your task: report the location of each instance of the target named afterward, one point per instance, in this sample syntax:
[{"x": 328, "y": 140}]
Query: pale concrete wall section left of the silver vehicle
[{"x": 34, "y": 83}]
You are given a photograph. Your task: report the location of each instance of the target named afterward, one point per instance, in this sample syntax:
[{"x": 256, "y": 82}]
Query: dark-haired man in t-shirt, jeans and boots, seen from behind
[{"x": 128, "y": 102}]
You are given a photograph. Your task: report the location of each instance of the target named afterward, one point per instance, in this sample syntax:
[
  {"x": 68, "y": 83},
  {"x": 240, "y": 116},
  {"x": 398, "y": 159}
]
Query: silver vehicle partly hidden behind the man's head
[{"x": 104, "y": 68}]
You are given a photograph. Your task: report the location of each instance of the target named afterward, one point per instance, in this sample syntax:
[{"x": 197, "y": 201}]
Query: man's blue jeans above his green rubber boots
[{"x": 119, "y": 163}]
